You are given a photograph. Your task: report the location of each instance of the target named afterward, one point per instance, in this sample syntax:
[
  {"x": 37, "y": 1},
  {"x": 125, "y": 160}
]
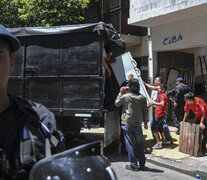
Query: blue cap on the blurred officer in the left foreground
[{"x": 14, "y": 42}]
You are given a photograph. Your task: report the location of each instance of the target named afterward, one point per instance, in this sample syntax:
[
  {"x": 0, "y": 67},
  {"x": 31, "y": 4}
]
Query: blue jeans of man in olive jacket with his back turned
[{"x": 134, "y": 137}]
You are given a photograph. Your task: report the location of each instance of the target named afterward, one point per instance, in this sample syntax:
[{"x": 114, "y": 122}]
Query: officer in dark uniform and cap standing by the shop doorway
[{"x": 178, "y": 102}]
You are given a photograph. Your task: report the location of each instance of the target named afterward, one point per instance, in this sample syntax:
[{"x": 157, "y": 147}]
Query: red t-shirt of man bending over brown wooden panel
[{"x": 198, "y": 107}]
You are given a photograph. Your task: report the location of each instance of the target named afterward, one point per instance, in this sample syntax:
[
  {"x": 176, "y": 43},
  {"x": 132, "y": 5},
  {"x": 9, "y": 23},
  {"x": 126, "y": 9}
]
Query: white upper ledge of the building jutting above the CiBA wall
[{"x": 146, "y": 12}]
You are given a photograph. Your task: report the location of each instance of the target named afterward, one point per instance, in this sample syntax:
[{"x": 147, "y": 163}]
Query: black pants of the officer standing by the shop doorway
[{"x": 177, "y": 115}]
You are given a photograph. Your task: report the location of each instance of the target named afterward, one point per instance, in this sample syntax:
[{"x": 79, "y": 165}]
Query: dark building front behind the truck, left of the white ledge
[{"x": 116, "y": 12}]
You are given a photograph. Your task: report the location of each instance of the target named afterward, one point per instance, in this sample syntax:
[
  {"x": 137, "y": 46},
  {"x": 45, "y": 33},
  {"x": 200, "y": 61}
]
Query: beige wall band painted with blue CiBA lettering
[{"x": 180, "y": 35}]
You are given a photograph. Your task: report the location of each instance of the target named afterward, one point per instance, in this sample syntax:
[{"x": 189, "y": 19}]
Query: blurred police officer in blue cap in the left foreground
[{"x": 15, "y": 114}]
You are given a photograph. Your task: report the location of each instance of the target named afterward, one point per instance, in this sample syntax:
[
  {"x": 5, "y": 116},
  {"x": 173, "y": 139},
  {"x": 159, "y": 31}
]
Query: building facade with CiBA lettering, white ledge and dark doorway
[{"x": 178, "y": 31}]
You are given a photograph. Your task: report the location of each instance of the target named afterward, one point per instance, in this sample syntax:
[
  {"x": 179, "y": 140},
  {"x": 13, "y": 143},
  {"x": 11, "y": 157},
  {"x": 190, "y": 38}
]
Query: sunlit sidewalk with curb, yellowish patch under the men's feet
[{"x": 170, "y": 157}]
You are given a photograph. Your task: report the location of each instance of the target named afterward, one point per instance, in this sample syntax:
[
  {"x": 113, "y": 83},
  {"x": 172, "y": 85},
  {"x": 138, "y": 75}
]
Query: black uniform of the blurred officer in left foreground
[{"x": 15, "y": 162}]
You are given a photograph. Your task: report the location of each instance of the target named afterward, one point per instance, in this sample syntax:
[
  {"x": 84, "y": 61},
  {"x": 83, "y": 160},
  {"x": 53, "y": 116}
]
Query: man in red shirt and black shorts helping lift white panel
[{"x": 160, "y": 112}]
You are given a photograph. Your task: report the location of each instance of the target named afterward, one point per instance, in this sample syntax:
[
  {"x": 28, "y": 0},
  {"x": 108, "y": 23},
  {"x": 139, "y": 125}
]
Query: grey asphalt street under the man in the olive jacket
[{"x": 152, "y": 172}]
